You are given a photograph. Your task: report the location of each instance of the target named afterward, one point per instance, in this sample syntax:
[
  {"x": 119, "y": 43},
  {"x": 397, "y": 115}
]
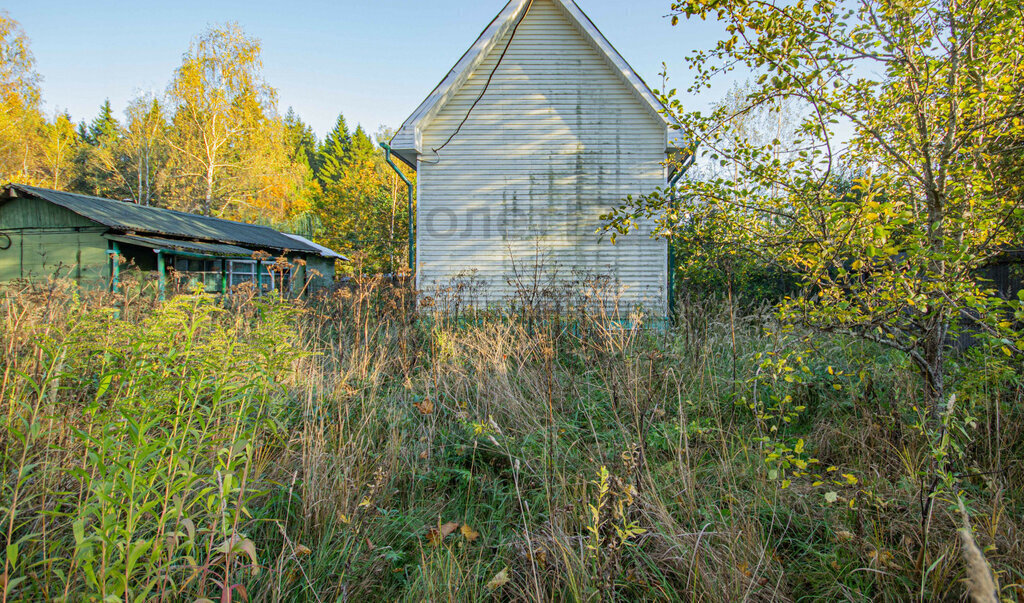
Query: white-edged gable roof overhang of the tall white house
[{"x": 408, "y": 142}]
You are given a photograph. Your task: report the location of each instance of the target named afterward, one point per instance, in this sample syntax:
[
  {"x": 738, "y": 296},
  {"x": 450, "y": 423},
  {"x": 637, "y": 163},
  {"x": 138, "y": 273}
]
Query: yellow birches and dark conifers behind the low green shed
[{"x": 215, "y": 144}]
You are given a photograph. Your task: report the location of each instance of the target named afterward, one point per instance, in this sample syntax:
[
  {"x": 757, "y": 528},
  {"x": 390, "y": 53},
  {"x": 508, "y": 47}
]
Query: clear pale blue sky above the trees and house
[{"x": 373, "y": 61}]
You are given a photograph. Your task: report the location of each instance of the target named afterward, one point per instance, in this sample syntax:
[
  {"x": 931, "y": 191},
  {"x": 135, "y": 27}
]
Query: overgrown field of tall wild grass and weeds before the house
[{"x": 347, "y": 449}]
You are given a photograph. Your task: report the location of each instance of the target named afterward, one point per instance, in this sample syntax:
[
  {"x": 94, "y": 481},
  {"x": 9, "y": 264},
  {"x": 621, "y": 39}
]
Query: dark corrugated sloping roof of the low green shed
[{"x": 130, "y": 218}]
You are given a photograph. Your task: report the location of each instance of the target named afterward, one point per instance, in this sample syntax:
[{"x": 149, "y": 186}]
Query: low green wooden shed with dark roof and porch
[{"x": 46, "y": 234}]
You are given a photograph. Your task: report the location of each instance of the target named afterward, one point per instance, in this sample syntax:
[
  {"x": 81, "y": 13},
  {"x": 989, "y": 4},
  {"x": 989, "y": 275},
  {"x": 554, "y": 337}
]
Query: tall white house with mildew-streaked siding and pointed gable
[{"x": 538, "y": 131}]
